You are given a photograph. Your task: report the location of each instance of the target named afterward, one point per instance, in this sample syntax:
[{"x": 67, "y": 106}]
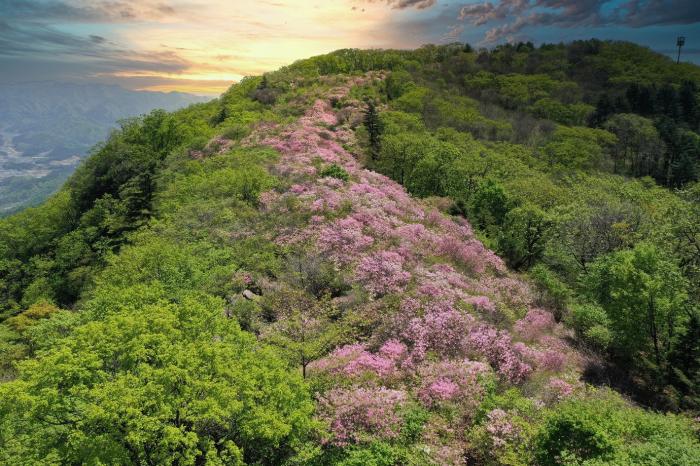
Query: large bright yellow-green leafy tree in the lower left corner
[{"x": 165, "y": 383}]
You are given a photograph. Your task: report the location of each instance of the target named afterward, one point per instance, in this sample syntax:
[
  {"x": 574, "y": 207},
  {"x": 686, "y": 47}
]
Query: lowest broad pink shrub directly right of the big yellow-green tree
[{"x": 361, "y": 414}]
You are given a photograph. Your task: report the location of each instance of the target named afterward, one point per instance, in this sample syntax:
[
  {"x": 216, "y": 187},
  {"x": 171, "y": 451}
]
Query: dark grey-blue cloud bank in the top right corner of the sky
[{"x": 512, "y": 16}]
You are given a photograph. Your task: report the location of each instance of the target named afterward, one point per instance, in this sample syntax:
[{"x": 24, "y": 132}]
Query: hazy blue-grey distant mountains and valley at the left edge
[{"x": 46, "y": 128}]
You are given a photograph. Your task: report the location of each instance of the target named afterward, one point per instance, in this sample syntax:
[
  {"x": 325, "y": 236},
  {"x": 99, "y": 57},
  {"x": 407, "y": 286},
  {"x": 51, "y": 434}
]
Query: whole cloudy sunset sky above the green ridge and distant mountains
[{"x": 203, "y": 46}]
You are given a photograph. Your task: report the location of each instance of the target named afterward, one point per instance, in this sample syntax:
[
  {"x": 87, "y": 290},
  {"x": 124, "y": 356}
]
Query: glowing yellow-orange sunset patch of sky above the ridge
[{"x": 222, "y": 42}]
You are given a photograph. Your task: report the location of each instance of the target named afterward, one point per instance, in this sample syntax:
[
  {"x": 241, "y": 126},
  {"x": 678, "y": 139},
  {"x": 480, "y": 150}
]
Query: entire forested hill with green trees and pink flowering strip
[{"x": 440, "y": 256}]
